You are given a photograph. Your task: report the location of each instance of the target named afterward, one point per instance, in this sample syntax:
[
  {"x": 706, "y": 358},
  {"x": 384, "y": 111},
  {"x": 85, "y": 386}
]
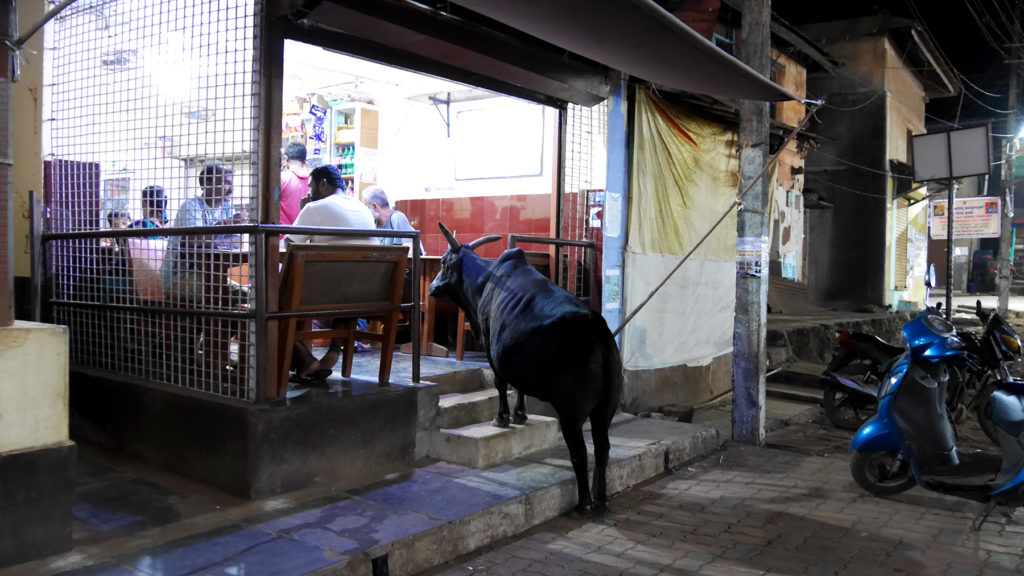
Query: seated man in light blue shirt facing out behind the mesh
[{"x": 182, "y": 277}]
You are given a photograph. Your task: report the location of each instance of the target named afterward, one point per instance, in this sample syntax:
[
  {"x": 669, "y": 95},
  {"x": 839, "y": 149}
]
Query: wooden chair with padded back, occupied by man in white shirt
[{"x": 342, "y": 283}]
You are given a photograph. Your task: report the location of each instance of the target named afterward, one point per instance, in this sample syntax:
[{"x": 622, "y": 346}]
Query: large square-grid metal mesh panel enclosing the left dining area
[{"x": 154, "y": 121}]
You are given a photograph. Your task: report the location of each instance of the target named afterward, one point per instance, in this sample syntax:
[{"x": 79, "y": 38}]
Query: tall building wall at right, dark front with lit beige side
[{"x": 852, "y": 255}]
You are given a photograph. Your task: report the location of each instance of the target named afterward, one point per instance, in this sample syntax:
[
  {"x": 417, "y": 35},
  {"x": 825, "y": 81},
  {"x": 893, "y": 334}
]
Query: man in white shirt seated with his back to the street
[{"x": 328, "y": 205}]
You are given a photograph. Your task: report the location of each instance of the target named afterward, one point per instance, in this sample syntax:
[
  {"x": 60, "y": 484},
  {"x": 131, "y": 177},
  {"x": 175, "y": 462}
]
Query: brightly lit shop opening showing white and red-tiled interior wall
[{"x": 481, "y": 162}]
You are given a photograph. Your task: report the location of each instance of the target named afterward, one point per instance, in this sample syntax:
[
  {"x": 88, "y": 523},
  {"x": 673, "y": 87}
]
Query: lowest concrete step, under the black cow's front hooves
[{"x": 484, "y": 446}]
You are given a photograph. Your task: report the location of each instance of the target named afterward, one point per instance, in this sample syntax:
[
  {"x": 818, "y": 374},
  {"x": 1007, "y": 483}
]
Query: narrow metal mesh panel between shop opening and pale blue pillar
[{"x": 586, "y": 140}]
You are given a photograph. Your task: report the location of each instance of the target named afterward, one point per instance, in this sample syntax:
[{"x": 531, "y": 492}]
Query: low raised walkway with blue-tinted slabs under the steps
[{"x": 411, "y": 523}]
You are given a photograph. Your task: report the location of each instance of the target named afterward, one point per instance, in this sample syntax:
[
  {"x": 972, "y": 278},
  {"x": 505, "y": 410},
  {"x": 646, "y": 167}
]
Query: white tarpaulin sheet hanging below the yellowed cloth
[{"x": 690, "y": 321}]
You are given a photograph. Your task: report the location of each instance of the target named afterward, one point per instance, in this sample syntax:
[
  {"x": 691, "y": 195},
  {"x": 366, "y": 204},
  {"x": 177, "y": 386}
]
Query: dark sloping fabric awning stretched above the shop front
[{"x": 637, "y": 37}]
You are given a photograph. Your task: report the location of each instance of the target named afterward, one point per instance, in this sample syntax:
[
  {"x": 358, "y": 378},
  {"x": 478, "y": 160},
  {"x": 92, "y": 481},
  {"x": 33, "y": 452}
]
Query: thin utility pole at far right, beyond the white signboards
[{"x": 1003, "y": 277}]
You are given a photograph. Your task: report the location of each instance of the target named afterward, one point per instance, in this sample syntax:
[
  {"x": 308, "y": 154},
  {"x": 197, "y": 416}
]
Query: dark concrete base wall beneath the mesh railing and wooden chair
[{"x": 253, "y": 451}]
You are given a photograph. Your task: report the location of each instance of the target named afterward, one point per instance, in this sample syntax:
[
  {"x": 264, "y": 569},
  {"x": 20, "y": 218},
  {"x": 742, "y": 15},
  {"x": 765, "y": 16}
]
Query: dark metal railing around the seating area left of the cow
[{"x": 117, "y": 331}]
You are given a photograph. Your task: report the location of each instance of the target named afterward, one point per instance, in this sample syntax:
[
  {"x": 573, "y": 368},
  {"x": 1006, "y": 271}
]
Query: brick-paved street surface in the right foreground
[{"x": 769, "y": 511}]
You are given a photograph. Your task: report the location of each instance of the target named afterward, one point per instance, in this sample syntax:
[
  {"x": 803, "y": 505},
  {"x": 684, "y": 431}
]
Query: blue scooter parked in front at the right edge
[{"x": 912, "y": 439}]
